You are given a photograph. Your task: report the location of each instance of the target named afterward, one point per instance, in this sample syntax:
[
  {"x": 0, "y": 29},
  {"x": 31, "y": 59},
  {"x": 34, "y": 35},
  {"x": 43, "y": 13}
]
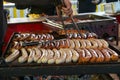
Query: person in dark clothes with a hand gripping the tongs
[{"x": 47, "y": 7}]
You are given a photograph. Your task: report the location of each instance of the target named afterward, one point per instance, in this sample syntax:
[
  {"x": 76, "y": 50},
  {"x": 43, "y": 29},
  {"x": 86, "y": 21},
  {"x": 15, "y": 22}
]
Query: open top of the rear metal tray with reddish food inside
[{"x": 84, "y": 18}]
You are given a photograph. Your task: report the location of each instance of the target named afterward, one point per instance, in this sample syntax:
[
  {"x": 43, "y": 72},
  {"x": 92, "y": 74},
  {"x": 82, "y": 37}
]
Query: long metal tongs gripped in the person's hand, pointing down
[{"x": 59, "y": 4}]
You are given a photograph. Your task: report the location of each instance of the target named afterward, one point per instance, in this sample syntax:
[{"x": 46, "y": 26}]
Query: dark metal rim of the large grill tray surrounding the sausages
[{"x": 16, "y": 64}]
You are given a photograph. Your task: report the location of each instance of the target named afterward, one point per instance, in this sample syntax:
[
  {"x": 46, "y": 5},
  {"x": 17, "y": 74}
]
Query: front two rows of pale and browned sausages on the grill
[{"x": 63, "y": 51}]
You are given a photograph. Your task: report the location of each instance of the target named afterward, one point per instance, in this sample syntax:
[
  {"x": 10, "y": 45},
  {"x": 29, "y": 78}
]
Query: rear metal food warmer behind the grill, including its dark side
[{"x": 101, "y": 25}]
